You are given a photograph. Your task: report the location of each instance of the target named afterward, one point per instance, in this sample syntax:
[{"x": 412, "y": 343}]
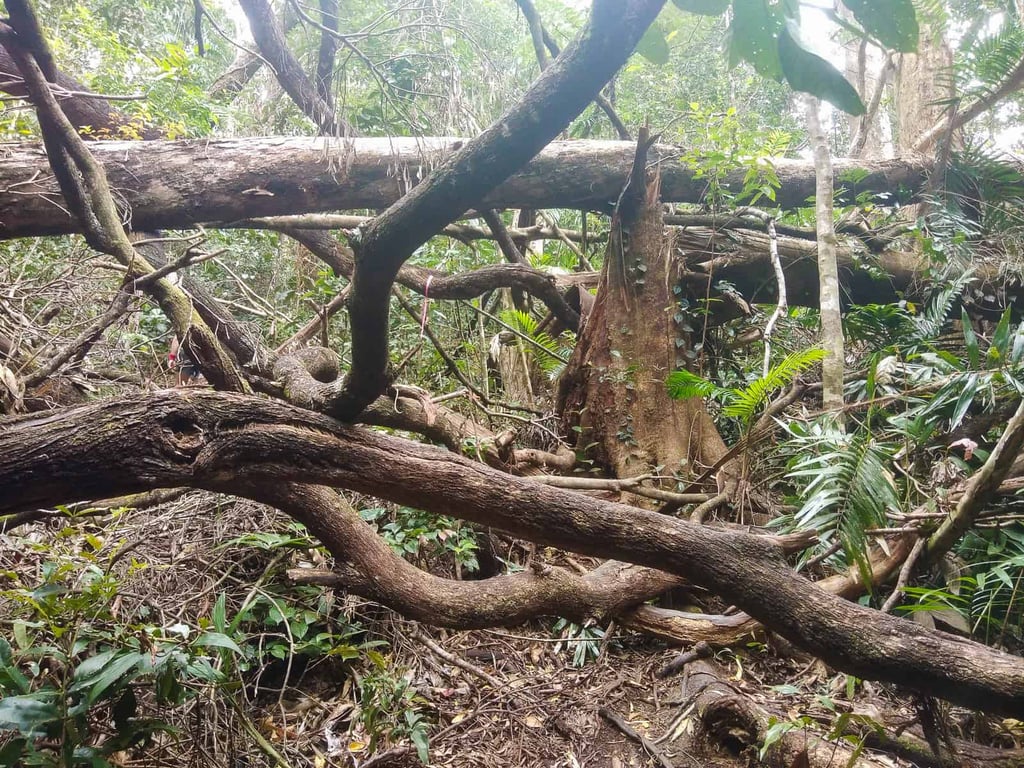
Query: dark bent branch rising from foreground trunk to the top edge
[{"x": 554, "y": 100}]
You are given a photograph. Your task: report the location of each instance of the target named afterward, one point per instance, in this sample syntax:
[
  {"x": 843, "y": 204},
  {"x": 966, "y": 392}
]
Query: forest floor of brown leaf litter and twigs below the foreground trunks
[{"x": 345, "y": 682}]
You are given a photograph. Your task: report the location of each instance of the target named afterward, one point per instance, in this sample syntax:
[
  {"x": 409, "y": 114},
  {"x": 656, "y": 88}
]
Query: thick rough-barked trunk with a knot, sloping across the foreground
[{"x": 226, "y": 443}]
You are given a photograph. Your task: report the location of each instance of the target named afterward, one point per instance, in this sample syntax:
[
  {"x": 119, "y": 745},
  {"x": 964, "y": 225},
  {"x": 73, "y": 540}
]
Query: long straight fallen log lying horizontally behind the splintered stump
[{"x": 179, "y": 185}]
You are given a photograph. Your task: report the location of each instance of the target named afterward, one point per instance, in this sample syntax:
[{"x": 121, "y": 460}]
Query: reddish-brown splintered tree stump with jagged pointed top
[{"x": 614, "y": 391}]
